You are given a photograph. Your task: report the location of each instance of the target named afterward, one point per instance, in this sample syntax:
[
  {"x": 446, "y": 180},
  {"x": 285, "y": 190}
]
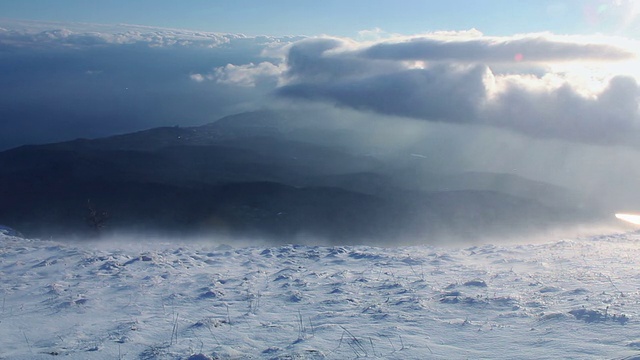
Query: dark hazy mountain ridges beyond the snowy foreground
[{"x": 248, "y": 175}]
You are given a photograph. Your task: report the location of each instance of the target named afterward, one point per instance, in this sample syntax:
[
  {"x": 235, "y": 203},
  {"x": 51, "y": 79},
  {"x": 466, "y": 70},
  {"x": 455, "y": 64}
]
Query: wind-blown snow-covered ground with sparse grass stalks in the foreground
[{"x": 576, "y": 298}]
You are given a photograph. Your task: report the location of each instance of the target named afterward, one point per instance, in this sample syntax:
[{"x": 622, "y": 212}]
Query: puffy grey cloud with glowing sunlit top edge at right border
[{"x": 610, "y": 117}]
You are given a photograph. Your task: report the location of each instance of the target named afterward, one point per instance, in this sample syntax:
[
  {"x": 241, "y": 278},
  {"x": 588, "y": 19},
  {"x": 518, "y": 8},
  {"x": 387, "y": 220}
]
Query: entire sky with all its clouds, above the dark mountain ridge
[{"x": 547, "y": 89}]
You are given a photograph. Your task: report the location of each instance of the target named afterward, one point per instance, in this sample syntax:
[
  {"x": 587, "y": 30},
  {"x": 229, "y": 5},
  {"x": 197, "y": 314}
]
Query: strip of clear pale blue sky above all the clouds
[{"x": 342, "y": 18}]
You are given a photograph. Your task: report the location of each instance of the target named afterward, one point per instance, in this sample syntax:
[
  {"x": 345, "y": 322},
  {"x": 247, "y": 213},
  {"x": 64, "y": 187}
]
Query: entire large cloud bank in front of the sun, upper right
[{"x": 440, "y": 79}]
